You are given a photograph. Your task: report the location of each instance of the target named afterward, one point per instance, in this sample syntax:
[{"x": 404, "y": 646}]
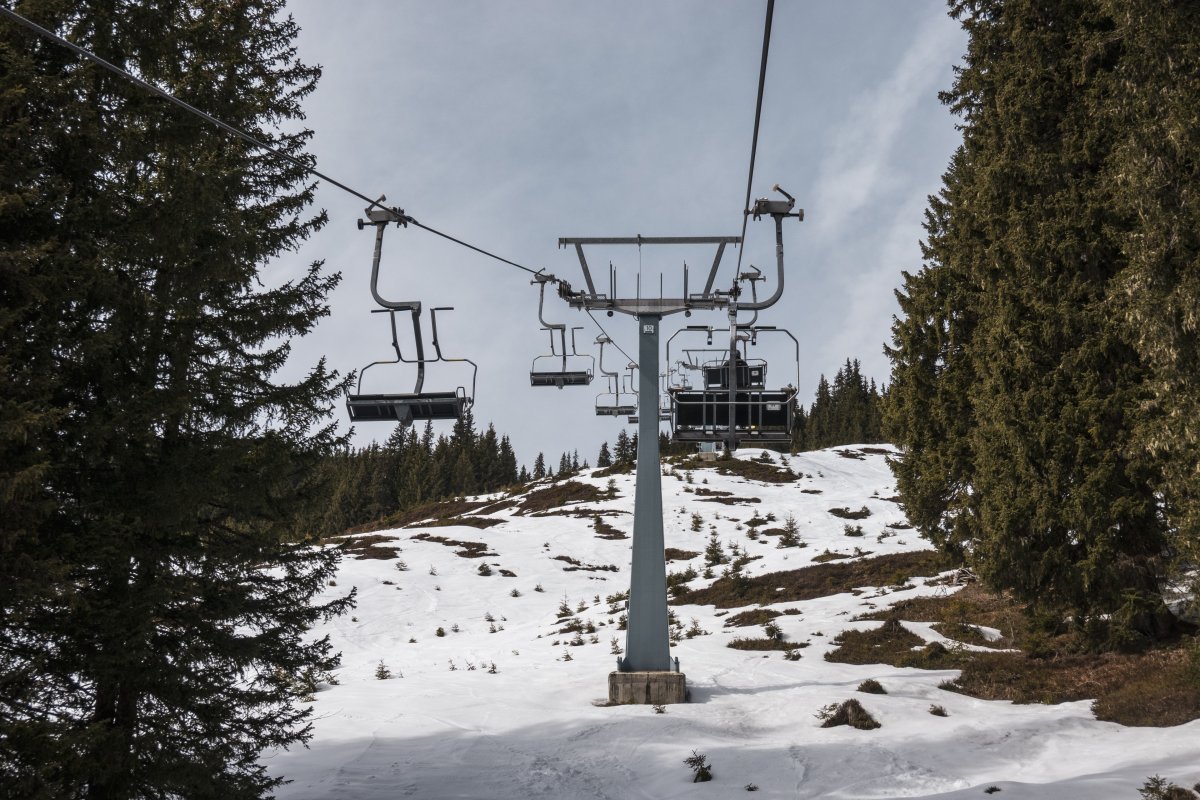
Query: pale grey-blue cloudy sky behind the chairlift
[{"x": 511, "y": 125}]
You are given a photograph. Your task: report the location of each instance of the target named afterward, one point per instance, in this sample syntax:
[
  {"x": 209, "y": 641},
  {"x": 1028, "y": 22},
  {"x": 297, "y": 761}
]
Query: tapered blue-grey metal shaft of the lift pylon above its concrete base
[{"x": 647, "y": 639}]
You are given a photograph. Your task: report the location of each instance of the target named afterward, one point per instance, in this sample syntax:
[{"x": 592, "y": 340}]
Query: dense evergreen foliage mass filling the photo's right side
[{"x": 1019, "y": 388}]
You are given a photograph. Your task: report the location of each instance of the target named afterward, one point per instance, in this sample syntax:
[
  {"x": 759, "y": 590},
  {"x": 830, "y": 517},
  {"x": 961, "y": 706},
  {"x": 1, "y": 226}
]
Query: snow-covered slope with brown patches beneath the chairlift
[{"x": 532, "y": 730}]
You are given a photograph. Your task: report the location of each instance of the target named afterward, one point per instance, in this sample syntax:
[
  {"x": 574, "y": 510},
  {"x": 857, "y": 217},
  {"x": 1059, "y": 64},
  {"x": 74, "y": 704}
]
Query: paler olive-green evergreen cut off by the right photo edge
[{"x": 1155, "y": 172}]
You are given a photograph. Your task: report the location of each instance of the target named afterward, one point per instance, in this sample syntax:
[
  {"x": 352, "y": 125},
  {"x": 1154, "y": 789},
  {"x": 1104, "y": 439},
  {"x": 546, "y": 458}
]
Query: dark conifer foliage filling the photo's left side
[{"x": 152, "y": 465}]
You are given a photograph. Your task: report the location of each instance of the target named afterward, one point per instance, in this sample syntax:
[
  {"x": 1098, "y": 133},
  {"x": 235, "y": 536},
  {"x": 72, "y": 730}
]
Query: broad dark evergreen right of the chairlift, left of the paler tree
[{"x": 1039, "y": 480}]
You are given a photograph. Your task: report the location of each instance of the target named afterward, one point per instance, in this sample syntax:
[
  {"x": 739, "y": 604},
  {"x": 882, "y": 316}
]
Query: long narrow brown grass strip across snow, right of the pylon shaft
[{"x": 815, "y": 581}]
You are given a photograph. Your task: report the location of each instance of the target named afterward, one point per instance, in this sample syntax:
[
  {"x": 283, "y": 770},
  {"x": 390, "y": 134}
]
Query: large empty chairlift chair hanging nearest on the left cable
[{"x": 418, "y": 405}]
